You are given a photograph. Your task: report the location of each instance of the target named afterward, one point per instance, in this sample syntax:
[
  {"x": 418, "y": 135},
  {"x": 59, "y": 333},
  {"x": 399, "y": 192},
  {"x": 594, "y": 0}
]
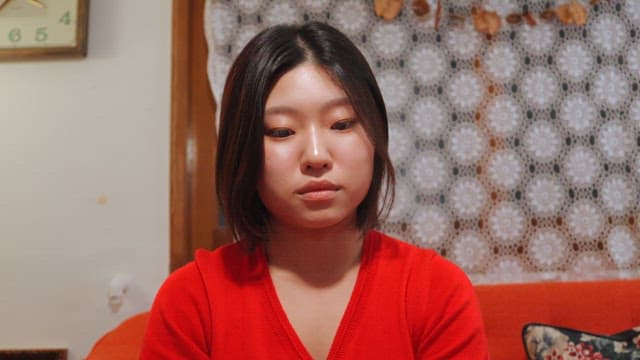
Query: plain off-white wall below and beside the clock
[{"x": 72, "y": 131}]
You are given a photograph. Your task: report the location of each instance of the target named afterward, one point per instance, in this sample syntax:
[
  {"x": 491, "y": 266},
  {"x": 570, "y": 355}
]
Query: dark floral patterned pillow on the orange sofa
[{"x": 548, "y": 342}]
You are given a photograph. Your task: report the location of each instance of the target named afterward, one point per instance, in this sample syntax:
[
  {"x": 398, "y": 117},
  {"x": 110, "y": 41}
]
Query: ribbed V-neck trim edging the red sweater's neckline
[{"x": 349, "y": 316}]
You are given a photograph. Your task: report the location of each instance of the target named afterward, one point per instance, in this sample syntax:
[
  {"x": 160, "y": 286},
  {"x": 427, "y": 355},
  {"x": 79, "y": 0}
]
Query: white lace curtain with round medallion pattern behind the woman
[{"x": 518, "y": 157}]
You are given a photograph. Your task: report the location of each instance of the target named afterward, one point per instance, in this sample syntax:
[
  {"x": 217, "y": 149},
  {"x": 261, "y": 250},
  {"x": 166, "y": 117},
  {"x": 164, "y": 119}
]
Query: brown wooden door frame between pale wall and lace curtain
[{"x": 193, "y": 205}]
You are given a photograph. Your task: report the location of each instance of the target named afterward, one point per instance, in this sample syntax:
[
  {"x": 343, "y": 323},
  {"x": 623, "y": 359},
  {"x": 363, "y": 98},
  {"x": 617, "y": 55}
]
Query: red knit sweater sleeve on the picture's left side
[{"x": 180, "y": 322}]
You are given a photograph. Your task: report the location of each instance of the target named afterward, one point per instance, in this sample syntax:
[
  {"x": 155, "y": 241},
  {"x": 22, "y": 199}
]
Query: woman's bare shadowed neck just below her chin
[{"x": 314, "y": 257}]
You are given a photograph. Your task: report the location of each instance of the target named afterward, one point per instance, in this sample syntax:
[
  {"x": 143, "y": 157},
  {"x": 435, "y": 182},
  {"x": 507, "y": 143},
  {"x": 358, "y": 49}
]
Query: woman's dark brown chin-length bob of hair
[{"x": 240, "y": 153}]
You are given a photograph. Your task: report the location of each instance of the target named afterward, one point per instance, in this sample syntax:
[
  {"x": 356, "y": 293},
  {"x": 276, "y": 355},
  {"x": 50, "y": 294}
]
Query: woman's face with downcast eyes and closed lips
[{"x": 318, "y": 160}]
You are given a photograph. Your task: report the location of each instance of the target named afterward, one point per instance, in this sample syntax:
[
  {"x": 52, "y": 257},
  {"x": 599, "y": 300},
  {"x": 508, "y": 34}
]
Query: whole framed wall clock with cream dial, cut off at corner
[{"x": 33, "y": 29}]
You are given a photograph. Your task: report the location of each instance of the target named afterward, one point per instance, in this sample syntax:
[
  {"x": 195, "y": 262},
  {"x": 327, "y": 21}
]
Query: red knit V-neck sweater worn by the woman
[{"x": 407, "y": 303}]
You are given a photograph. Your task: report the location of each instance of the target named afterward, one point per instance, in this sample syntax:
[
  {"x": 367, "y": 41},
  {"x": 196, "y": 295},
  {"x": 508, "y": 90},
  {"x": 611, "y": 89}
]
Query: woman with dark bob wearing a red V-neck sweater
[{"x": 302, "y": 162}]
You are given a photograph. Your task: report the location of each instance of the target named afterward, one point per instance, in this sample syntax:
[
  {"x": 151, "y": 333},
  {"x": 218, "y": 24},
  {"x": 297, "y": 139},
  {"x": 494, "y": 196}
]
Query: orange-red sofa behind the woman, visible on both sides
[{"x": 603, "y": 307}]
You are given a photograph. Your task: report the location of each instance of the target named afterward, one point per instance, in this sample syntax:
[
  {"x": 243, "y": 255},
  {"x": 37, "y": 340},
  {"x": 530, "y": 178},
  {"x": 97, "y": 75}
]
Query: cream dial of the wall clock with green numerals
[{"x": 40, "y": 24}]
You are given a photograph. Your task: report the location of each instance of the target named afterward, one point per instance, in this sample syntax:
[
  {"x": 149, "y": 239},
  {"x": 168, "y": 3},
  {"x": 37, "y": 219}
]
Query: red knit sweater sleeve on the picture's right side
[{"x": 443, "y": 310}]
